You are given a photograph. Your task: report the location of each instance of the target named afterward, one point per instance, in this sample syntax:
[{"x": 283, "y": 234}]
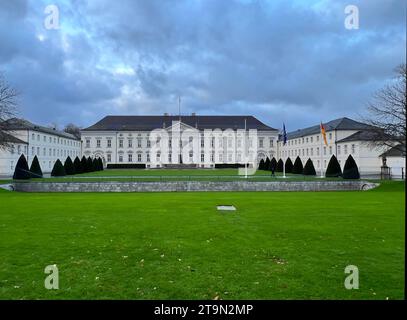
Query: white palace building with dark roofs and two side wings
[{"x": 196, "y": 141}]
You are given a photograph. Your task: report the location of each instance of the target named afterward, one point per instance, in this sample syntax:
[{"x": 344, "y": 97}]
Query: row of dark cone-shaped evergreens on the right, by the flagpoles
[{"x": 350, "y": 170}]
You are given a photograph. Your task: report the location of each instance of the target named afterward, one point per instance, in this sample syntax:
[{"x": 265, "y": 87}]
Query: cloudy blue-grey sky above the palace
[{"x": 291, "y": 61}]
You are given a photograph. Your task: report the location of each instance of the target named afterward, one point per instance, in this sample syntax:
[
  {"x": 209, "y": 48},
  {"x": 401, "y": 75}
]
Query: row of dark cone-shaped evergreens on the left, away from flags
[{"x": 69, "y": 167}]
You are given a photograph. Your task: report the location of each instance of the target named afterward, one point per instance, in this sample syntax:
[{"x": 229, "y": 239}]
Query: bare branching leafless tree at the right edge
[{"x": 388, "y": 113}]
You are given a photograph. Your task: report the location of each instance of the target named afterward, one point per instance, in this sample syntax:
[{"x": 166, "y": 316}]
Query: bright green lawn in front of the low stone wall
[{"x": 277, "y": 245}]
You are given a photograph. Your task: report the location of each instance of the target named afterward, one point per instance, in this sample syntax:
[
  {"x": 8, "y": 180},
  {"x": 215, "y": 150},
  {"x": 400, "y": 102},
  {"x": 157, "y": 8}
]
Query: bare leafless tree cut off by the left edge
[{"x": 8, "y": 109}]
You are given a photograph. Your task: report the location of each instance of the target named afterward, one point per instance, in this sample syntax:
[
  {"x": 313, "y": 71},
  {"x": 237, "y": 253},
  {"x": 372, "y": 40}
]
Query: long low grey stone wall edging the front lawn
[{"x": 182, "y": 186}]
